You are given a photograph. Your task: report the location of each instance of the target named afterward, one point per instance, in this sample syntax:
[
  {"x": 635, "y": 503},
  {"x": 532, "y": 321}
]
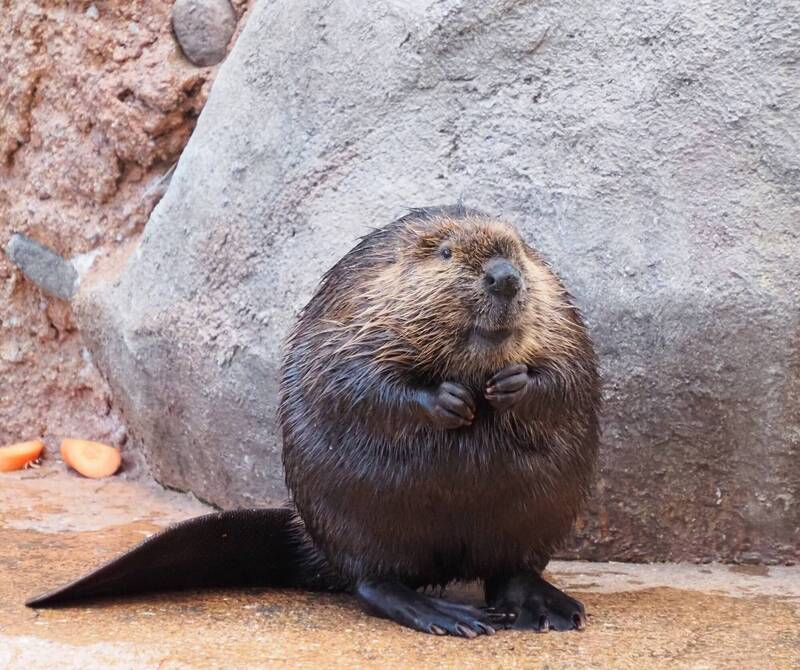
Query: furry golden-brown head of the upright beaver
[{"x": 456, "y": 293}]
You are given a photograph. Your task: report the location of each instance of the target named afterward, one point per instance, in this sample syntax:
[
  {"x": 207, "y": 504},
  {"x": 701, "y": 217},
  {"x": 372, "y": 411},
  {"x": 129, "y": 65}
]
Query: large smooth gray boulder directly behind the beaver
[{"x": 649, "y": 149}]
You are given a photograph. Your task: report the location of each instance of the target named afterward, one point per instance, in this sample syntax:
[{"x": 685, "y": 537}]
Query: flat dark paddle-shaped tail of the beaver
[{"x": 252, "y": 547}]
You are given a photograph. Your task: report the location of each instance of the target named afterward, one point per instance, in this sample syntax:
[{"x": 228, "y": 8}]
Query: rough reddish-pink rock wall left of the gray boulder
[{"x": 96, "y": 102}]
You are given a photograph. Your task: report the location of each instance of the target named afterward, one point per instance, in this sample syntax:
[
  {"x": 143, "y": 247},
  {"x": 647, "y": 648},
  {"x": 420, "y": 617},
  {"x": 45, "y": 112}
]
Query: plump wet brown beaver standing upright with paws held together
[{"x": 439, "y": 403}]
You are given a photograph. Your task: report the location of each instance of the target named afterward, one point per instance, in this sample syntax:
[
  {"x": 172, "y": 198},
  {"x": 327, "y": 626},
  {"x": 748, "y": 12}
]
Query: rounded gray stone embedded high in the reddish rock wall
[{"x": 203, "y": 28}]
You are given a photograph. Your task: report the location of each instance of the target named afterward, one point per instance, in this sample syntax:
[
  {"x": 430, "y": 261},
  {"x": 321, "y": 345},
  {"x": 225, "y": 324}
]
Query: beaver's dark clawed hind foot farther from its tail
[{"x": 537, "y": 604}]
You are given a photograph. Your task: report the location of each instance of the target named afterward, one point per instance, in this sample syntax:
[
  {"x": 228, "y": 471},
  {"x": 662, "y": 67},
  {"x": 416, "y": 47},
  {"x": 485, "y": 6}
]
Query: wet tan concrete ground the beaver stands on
[{"x": 53, "y": 525}]
